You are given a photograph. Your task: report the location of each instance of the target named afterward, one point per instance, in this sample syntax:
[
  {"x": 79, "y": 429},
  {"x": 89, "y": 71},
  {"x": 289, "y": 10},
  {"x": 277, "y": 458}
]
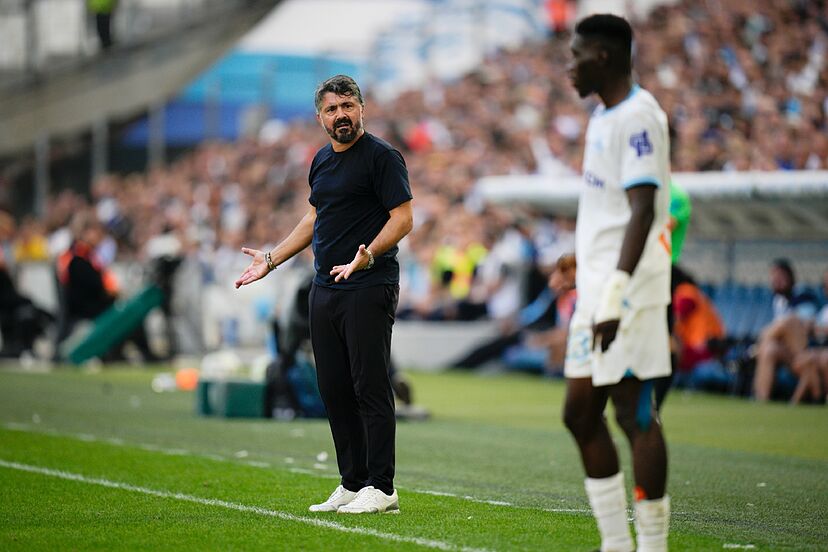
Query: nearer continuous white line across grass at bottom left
[{"x": 429, "y": 543}]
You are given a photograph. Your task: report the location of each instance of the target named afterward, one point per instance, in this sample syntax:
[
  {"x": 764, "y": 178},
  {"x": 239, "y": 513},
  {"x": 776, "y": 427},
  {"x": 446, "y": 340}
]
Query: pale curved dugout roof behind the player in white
[{"x": 727, "y": 206}]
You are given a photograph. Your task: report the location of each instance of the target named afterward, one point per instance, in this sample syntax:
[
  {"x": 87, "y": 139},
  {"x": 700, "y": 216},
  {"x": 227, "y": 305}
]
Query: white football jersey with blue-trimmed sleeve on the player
[{"x": 626, "y": 146}]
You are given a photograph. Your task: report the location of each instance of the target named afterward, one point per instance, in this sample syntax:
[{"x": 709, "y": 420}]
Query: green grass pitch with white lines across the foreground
[{"x": 99, "y": 461}]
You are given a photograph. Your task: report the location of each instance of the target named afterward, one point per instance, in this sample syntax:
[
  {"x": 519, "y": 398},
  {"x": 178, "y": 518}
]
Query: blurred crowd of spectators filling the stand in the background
[{"x": 743, "y": 83}]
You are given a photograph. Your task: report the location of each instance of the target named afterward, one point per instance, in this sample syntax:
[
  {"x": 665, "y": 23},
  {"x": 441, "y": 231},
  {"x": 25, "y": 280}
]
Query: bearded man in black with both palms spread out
[{"x": 360, "y": 208}]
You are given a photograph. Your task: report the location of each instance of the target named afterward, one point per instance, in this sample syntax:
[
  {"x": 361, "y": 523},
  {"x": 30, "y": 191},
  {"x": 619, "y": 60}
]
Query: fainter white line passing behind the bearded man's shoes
[{"x": 316, "y": 473}]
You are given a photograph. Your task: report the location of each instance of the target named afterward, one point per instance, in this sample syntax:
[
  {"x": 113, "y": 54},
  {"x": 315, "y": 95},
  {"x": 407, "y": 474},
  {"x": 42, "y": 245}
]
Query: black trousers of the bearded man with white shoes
[{"x": 351, "y": 337}]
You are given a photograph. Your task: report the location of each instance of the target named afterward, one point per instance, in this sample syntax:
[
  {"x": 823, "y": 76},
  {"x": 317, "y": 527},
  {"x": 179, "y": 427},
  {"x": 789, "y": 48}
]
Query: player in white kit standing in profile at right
[{"x": 618, "y": 340}]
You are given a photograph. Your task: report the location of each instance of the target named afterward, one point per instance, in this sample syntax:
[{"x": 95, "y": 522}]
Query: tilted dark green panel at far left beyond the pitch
[{"x": 115, "y": 324}]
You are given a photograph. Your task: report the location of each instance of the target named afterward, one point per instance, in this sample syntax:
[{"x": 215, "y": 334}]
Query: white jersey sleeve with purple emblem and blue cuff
[{"x": 642, "y": 146}]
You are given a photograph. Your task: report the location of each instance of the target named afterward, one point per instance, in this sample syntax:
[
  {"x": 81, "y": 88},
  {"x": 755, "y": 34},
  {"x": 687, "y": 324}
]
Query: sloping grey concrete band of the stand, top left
[{"x": 123, "y": 82}]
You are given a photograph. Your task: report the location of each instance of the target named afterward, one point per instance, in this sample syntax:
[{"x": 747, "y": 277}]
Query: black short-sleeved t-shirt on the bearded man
[{"x": 353, "y": 191}]
